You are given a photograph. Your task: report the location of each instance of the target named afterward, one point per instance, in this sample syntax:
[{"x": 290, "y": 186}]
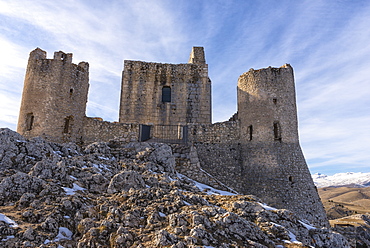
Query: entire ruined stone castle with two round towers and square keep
[{"x": 256, "y": 152}]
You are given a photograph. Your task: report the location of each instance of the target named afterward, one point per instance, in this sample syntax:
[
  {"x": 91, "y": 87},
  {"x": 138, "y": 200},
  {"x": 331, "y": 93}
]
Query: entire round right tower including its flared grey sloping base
[{"x": 274, "y": 167}]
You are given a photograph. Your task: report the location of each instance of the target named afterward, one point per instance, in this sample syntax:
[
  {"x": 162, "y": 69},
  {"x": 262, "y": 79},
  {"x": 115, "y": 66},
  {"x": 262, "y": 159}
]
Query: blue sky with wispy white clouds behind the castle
[{"x": 326, "y": 42}]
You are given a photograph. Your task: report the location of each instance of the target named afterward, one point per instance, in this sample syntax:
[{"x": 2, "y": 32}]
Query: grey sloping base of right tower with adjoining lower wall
[{"x": 275, "y": 173}]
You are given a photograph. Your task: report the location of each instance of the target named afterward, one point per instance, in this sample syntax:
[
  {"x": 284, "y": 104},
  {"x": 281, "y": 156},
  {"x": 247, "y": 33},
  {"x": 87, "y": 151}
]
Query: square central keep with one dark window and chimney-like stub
[{"x": 166, "y": 94}]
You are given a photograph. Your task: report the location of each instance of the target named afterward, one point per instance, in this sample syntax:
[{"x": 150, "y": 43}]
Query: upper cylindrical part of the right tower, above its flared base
[{"x": 267, "y": 105}]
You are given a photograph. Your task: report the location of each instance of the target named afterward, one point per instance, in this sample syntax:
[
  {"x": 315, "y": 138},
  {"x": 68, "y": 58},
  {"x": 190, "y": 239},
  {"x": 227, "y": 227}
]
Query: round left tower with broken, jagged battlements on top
[{"x": 54, "y": 97}]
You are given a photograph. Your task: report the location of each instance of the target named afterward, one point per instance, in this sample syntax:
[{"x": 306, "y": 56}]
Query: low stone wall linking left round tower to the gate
[{"x": 98, "y": 130}]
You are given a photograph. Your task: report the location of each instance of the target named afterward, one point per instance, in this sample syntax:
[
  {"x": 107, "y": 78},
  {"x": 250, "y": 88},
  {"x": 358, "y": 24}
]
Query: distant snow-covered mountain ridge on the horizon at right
[{"x": 358, "y": 179}]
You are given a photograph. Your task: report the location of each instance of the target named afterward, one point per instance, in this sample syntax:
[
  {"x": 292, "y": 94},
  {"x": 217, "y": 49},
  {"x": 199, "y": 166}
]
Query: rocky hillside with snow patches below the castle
[{"x": 54, "y": 195}]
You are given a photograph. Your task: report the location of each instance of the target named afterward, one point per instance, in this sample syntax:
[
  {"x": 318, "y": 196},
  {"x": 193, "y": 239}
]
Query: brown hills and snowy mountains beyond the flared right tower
[{"x": 346, "y": 198}]
